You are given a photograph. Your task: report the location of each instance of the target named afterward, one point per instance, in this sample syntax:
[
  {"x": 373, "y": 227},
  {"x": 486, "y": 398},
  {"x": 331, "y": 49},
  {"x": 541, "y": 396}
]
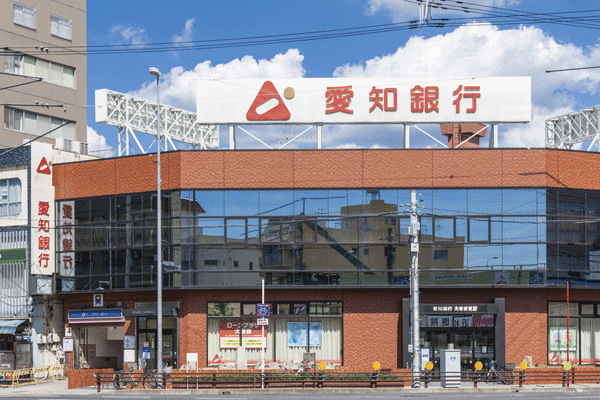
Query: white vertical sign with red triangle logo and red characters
[{"x": 42, "y": 210}]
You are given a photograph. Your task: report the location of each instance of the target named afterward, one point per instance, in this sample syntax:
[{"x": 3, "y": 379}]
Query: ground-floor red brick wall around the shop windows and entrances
[{"x": 372, "y": 319}]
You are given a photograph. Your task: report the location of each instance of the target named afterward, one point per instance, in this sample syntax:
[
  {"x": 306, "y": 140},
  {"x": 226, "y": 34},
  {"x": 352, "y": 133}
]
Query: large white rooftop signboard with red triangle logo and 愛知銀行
[{"x": 364, "y": 100}]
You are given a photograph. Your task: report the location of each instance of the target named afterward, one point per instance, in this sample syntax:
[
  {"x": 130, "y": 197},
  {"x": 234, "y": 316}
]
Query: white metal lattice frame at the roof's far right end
[{"x": 564, "y": 131}]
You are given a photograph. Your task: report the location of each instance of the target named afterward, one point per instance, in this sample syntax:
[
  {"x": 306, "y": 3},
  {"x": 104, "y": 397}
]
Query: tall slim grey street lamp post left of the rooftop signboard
[{"x": 159, "y": 369}]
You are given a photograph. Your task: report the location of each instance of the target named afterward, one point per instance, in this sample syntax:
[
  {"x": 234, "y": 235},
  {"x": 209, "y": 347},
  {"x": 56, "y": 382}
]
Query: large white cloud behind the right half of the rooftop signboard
[{"x": 480, "y": 51}]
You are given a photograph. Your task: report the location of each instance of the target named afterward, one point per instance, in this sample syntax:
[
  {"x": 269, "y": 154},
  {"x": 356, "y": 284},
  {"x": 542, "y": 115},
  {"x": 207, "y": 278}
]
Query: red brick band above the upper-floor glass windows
[{"x": 330, "y": 169}]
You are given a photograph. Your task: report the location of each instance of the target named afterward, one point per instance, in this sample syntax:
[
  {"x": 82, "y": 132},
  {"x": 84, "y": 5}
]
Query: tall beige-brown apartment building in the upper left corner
[{"x": 43, "y": 53}]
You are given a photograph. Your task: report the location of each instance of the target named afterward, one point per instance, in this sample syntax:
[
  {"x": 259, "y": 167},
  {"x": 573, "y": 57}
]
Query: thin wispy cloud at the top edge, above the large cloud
[{"x": 401, "y": 11}]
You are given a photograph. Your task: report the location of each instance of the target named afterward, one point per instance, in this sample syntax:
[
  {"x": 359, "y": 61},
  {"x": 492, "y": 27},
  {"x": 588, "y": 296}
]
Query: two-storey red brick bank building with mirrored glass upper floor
[{"x": 503, "y": 230}]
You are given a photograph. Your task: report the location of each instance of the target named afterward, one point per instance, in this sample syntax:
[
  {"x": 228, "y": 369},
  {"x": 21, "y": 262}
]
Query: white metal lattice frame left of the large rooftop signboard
[{"x": 132, "y": 114}]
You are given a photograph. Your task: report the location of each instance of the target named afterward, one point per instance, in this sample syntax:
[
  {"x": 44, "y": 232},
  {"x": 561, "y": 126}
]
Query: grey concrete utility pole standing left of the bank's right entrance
[{"x": 414, "y": 285}]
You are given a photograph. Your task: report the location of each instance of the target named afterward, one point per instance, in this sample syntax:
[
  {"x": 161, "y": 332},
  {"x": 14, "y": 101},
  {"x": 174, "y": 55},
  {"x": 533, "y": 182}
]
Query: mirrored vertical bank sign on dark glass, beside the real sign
[{"x": 66, "y": 239}]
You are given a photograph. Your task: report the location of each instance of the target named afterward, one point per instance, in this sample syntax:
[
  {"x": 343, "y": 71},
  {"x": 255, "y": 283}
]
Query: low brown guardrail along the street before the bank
[{"x": 320, "y": 379}]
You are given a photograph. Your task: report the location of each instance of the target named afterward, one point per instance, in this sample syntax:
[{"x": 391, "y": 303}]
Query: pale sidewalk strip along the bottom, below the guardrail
[{"x": 60, "y": 388}]
